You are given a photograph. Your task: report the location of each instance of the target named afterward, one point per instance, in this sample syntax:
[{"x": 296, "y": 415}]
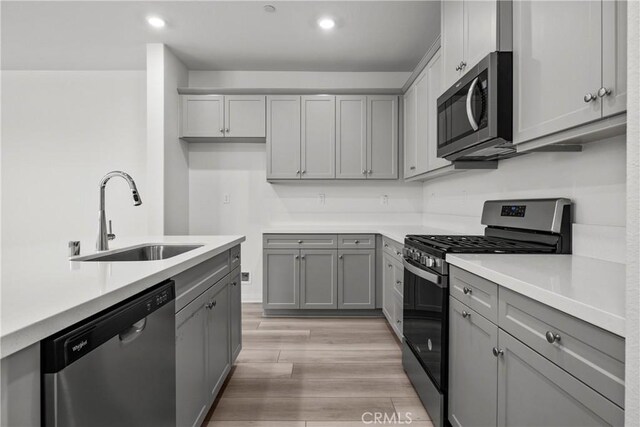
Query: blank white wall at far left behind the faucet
[{"x": 61, "y": 132}]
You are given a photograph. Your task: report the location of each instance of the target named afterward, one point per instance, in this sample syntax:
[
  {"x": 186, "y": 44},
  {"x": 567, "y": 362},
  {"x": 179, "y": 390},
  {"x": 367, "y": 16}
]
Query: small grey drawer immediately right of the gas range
[{"x": 479, "y": 294}]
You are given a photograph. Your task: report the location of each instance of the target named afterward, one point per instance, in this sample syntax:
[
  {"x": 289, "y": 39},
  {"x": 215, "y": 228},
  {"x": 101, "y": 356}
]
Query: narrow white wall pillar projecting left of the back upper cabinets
[{"x": 167, "y": 155}]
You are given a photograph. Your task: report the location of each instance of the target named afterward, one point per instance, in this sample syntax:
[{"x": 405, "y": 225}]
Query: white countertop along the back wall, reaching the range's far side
[{"x": 393, "y": 232}]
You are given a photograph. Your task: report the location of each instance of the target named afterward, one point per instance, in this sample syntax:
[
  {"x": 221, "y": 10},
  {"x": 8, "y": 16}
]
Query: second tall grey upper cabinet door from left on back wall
[{"x": 318, "y": 137}]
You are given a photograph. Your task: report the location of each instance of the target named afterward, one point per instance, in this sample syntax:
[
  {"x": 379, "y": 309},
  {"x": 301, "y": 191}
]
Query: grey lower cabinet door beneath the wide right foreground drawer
[{"x": 532, "y": 391}]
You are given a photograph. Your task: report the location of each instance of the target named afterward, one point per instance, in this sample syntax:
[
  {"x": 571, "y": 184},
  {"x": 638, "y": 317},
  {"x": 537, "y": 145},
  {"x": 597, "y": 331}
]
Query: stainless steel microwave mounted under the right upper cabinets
[{"x": 475, "y": 115}]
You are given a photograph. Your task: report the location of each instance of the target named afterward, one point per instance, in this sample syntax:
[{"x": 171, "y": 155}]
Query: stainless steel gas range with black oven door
[{"x": 512, "y": 226}]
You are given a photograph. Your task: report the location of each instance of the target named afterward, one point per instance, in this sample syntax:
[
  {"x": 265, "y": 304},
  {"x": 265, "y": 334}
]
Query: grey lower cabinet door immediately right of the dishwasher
[{"x": 191, "y": 363}]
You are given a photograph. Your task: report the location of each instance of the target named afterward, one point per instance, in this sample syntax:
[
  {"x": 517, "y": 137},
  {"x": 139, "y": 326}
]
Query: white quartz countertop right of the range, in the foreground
[{"x": 590, "y": 289}]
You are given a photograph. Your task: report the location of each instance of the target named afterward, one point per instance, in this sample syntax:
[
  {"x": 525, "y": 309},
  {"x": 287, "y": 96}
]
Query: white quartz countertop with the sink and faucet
[{"x": 43, "y": 292}]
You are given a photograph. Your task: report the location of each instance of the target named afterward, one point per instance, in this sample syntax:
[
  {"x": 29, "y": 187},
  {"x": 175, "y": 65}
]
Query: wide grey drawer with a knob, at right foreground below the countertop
[{"x": 591, "y": 354}]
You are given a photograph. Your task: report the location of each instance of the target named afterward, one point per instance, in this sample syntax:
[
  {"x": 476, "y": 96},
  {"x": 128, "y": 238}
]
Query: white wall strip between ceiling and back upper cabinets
[{"x": 297, "y": 79}]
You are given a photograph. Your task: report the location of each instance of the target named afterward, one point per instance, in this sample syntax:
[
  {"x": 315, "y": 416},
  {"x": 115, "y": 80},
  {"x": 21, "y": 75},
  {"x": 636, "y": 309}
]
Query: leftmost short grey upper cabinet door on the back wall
[{"x": 202, "y": 116}]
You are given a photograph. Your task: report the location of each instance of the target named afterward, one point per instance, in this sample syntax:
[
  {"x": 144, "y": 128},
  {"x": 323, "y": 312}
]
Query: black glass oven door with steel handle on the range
[{"x": 425, "y": 319}]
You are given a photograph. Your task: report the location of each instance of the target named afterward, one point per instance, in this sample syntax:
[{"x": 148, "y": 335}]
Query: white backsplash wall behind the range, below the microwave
[{"x": 594, "y": 179}]
